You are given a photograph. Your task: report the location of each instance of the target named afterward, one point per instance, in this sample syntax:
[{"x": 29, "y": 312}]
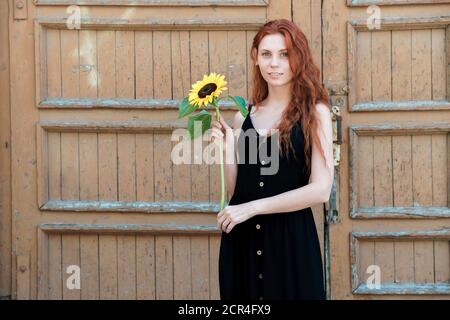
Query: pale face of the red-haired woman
[{"x": 273, "y": 60}]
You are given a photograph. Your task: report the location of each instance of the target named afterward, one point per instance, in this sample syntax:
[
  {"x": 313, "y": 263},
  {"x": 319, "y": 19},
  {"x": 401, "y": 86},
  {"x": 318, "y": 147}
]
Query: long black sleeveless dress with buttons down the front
[{"x": 273, "y": 256}]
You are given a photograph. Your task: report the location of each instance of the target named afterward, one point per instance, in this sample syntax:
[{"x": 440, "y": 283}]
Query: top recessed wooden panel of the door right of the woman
[{"x": 409, "y": 53}]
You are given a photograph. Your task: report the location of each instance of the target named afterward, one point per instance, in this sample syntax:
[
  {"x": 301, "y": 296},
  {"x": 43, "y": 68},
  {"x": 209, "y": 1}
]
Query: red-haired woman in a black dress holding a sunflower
[{"x": 269, "y": 247}]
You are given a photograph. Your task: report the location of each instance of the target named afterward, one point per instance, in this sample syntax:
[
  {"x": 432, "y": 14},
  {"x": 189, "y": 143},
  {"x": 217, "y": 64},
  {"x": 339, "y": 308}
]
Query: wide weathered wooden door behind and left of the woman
[{"x": 95, "y": 195}]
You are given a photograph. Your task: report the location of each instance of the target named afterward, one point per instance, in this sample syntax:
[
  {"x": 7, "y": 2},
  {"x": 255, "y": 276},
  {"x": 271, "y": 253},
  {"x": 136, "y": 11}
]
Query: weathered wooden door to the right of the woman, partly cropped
[{"x": 392, "y": 82}]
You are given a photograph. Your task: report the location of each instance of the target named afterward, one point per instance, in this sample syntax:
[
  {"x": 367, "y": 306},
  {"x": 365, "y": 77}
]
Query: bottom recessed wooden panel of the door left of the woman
[{"x": 140, "y": 265}]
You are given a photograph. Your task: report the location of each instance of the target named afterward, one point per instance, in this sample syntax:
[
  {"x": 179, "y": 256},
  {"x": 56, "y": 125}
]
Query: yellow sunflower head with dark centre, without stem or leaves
[{"x": 204, "y": 91}]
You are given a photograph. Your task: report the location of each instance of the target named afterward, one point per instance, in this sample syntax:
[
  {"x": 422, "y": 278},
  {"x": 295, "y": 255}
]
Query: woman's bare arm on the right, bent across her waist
[{"x": 321, "y": 180}]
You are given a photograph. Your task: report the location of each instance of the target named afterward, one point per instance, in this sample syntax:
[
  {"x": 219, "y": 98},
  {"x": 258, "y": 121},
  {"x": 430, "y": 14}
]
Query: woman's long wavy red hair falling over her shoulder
[{"x": 307, "y": 88}]
